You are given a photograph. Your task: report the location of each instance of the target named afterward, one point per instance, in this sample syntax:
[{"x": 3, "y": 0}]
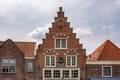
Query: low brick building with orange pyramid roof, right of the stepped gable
[{"x": 104, "y": 63}]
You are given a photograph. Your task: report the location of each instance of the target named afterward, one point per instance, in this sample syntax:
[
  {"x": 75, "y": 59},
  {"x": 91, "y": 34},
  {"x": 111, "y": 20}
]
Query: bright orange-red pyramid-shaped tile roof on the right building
[{"x": 107, "y": 51}]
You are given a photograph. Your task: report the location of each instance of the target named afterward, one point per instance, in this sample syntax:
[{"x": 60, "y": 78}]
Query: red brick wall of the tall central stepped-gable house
[{"x": 73, "y": 46}]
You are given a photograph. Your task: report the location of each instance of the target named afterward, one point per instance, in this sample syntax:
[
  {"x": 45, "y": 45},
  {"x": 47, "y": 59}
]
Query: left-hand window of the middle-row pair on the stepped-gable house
[{"x": 50, "y": 61}]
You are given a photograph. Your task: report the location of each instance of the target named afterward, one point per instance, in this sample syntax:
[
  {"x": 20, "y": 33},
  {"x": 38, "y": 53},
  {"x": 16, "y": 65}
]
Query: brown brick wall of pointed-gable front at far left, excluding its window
[{"x": 9, "y": 51}]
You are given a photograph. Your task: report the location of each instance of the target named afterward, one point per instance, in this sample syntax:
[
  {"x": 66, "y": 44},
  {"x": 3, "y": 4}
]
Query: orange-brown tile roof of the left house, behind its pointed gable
[{"x": 28, "y": 48}]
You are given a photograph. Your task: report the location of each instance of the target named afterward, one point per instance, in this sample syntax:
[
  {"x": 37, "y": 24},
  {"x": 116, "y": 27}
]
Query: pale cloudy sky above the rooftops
[{"x": 94, "y": 21}]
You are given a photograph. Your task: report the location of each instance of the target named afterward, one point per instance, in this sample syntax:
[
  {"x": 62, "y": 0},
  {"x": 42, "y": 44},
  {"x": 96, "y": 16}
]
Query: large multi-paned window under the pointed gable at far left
[{"x": 8, "y": 65}]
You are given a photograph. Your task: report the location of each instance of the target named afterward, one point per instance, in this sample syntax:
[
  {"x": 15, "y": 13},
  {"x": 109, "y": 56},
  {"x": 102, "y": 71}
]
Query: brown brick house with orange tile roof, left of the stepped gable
[{"x": 17, "y": 60}]
